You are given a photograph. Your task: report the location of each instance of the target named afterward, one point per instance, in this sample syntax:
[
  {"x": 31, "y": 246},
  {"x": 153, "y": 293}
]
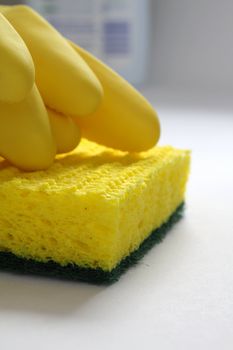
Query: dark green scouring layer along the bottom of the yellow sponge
[{"x": 12, "y": 263}]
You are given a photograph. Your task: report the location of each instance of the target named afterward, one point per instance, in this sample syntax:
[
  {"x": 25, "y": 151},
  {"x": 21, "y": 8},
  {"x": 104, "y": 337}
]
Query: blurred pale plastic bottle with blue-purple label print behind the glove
[{"x": 116, "y": 31}]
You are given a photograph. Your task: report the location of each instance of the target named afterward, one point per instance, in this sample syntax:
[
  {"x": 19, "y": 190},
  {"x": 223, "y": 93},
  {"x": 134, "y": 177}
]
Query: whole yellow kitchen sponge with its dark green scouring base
[{"x": 92, "y": 213}]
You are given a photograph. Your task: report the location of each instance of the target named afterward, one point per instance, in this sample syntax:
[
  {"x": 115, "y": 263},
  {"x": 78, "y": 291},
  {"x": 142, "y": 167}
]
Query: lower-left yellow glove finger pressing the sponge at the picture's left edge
[{"x": 26, "y": 139}]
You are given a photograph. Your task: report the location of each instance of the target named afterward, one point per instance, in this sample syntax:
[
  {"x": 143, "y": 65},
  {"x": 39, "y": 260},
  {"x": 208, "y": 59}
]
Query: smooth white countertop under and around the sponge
[{"x": 180, "y": 296}]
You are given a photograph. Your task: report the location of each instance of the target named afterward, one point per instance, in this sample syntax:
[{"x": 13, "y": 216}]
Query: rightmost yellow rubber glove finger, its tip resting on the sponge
[{"x": 125, "y": 119}]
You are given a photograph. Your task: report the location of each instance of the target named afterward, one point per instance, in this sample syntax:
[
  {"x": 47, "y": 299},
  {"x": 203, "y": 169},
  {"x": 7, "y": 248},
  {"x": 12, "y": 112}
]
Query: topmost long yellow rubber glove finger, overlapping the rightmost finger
[{"x": 65, "y": 81}]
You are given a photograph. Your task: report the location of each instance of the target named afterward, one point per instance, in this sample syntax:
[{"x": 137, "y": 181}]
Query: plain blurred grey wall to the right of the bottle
[{"x": 191, "y": 44}]
